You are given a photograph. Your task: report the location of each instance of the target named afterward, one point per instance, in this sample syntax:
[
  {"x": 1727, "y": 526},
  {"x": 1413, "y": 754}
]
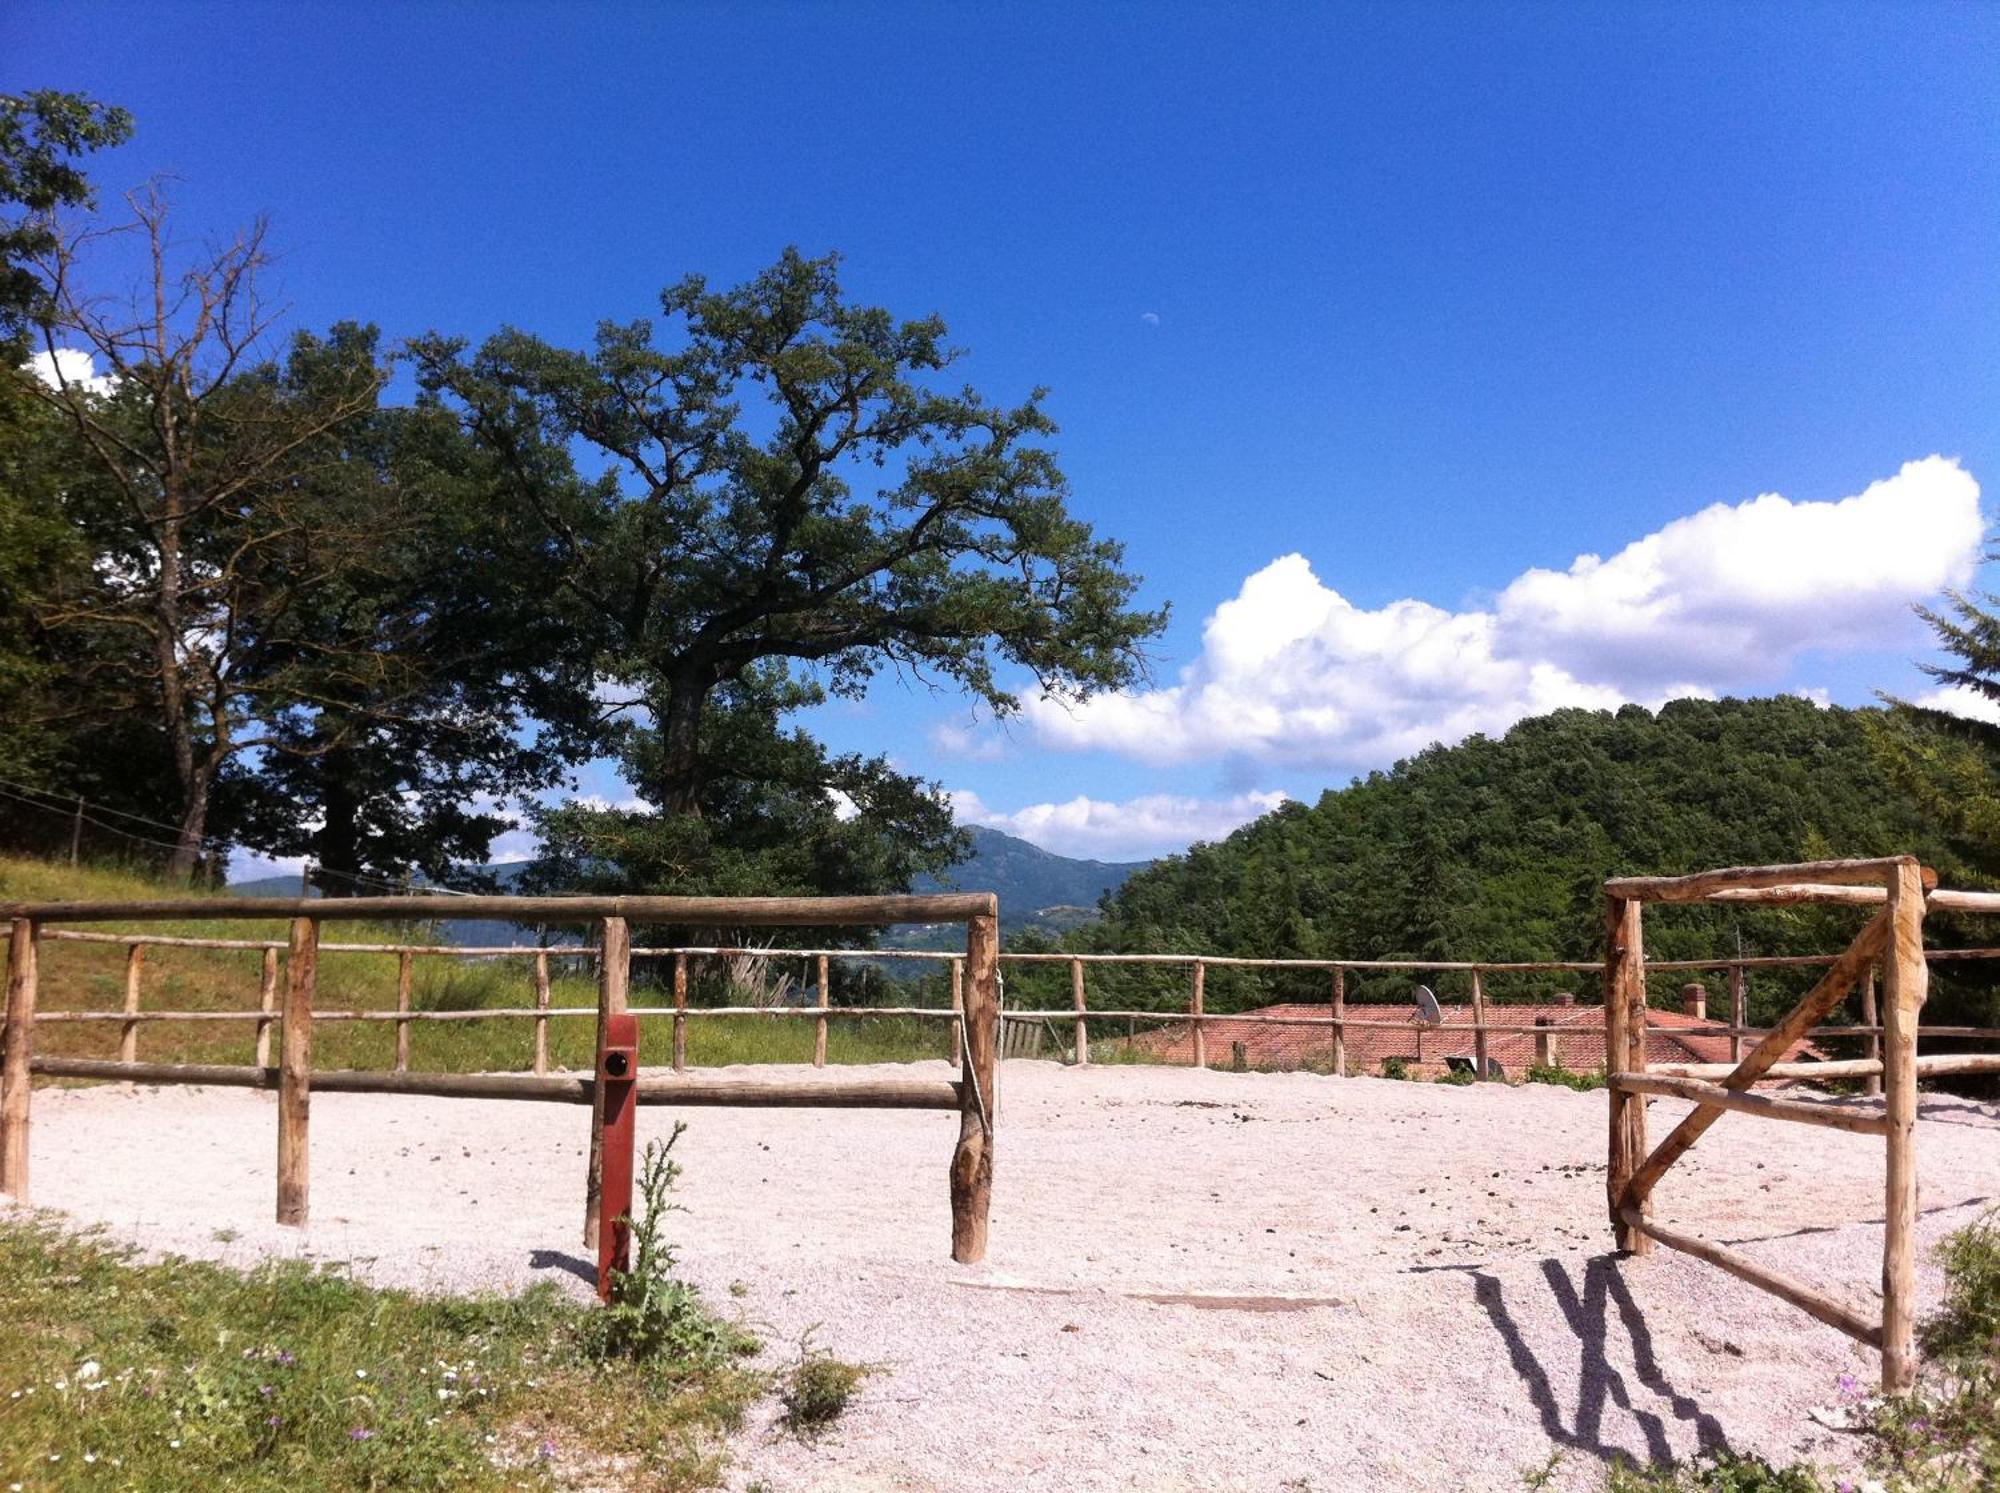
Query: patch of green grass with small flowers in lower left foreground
[{"x": 185, "y": 1376}]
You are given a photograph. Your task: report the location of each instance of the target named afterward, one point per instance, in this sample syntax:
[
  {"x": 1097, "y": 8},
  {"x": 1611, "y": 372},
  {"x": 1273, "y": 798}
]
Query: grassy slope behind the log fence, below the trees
[{"x": 91, "y": 978}]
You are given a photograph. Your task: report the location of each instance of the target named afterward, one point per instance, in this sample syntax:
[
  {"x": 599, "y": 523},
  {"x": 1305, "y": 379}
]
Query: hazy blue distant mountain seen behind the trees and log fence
[{"x": 1037, "y": 890}]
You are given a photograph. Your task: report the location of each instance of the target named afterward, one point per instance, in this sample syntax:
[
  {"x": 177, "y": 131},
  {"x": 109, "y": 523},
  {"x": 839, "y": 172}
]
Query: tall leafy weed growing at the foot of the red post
[{"x": 653, "y": 1318}]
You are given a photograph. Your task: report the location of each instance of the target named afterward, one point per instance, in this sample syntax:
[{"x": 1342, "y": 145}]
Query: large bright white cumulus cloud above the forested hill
[{"x": 1295, "y": 673}]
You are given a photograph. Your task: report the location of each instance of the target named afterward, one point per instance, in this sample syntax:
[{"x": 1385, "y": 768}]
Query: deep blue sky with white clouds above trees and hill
[{"x": 1431, "y": 299}]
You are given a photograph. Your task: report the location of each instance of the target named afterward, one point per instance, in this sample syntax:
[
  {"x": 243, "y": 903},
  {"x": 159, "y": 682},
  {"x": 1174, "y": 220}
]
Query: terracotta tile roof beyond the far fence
[{"x": 1577, "y": 1040}]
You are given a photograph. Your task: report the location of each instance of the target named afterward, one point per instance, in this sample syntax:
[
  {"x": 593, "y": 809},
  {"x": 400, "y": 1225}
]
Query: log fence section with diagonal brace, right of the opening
[{"x": 1893, "y": 940}]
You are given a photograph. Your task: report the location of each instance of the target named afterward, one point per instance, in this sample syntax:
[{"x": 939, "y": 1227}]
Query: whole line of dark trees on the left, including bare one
[{"x": 319, "y": 593}]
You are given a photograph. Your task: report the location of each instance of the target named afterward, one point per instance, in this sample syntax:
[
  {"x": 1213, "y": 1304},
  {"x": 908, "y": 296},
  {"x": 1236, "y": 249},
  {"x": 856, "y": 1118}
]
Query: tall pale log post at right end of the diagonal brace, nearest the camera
[{"x": 1907, "y": 982}]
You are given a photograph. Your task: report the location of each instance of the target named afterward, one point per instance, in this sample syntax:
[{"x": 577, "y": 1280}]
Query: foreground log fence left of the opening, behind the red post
[{"x": 293, "y": 1012}]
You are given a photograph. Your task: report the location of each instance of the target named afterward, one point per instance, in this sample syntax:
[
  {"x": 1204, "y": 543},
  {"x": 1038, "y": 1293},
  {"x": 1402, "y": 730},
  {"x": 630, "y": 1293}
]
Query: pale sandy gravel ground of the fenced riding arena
[{"x": 1197, "y": 1280}]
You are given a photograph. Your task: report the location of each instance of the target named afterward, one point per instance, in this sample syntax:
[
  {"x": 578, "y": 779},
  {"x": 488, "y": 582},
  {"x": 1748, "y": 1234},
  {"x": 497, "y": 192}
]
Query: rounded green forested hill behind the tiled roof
[{"x": 1497, "y": 848}]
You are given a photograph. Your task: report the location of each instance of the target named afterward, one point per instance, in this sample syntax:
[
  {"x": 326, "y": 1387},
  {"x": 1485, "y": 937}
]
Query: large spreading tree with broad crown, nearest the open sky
[{"x": 787, "y": 497}]
